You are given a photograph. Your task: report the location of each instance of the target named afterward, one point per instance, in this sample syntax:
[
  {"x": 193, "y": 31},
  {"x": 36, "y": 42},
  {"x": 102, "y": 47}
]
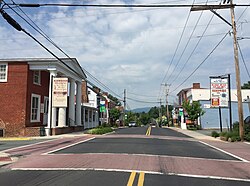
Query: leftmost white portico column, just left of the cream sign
[{"x": 51, "y": 111}]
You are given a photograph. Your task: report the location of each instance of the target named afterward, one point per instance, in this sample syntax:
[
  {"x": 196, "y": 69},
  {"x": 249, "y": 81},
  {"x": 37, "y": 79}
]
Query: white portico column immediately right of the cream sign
[{"x": 72, "y": 103}]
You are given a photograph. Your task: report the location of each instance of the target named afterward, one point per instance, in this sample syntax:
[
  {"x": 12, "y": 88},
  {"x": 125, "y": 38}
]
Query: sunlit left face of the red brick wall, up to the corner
[{"x": 13, "y": 100}]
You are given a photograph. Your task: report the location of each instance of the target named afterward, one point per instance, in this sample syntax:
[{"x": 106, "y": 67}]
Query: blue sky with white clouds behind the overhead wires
[{"x": 137, "y": 49}]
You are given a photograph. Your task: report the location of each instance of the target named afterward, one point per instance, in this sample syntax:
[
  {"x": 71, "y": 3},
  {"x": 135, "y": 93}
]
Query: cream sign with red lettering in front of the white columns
[{"x": 60, "y": 92}]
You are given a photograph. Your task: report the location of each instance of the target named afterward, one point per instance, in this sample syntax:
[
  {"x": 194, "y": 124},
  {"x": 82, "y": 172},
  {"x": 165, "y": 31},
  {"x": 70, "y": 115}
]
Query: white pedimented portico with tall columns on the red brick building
[{"x": 65, "y": 118}]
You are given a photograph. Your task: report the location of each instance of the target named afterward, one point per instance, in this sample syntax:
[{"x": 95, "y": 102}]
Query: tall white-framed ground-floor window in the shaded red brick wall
[{"x": 35, "y": 108}]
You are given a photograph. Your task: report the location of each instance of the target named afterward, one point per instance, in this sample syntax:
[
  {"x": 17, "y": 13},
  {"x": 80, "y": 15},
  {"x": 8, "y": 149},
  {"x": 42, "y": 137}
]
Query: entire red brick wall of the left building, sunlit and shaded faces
[{"x": 15, "y": 99}]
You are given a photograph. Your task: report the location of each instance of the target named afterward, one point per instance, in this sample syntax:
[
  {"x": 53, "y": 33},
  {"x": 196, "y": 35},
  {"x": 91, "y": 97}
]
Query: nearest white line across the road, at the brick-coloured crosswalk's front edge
[{"x": 124, "y": 170}]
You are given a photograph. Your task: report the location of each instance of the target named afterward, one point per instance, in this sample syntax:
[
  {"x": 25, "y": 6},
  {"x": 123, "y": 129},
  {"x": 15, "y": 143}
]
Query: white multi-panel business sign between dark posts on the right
[{"x": 219, "y": 92}]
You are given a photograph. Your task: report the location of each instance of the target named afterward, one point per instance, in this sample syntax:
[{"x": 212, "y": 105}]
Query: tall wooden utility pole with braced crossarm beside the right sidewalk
[{"x": 236, "y": 58}]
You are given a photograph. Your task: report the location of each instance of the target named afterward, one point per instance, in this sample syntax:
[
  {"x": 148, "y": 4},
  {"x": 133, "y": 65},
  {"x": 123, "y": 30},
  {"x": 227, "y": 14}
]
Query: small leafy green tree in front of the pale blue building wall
[{"x": 193, "y": 109}]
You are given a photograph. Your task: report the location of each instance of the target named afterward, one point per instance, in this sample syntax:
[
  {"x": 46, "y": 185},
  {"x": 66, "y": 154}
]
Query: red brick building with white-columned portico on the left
[{"x": 26, "y": 94}]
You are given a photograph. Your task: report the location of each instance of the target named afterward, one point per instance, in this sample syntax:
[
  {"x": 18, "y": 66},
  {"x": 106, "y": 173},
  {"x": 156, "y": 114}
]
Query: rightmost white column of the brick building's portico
[{"x": 78, "y": 103}]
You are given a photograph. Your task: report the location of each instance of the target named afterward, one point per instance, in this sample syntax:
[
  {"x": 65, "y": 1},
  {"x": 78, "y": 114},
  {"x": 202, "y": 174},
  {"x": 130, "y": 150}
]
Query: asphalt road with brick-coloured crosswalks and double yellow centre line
[{"x": 129, "y": 156}]
